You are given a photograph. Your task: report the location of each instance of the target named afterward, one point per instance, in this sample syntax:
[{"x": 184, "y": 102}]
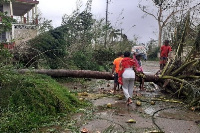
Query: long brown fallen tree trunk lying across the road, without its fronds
[{"x": 82, "y": 74}]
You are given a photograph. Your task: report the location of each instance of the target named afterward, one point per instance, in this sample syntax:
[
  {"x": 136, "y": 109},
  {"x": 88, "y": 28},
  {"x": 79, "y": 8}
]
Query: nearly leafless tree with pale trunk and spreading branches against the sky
[{"x": 166, "y": 10}]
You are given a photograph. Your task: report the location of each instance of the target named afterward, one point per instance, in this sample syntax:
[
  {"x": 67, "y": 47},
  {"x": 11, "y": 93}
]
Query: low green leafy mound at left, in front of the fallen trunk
[{"x": 30, "y": 100}]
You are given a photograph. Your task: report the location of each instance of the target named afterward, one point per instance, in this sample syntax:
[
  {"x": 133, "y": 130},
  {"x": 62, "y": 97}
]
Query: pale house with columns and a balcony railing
[{"x": 24, "y": 12}]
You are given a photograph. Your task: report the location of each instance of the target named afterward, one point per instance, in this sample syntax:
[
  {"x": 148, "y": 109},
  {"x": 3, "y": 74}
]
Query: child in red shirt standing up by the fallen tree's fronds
[{"x": 164, "y": 51}]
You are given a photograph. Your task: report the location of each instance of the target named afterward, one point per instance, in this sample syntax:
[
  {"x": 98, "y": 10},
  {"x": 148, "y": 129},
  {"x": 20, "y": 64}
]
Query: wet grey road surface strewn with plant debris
[{"x": 166, "y": 115}]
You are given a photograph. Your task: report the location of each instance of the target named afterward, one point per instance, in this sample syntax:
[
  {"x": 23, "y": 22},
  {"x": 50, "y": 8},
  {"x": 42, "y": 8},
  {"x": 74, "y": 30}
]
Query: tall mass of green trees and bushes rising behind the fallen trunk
[{"x": 77, "y": 44}]
